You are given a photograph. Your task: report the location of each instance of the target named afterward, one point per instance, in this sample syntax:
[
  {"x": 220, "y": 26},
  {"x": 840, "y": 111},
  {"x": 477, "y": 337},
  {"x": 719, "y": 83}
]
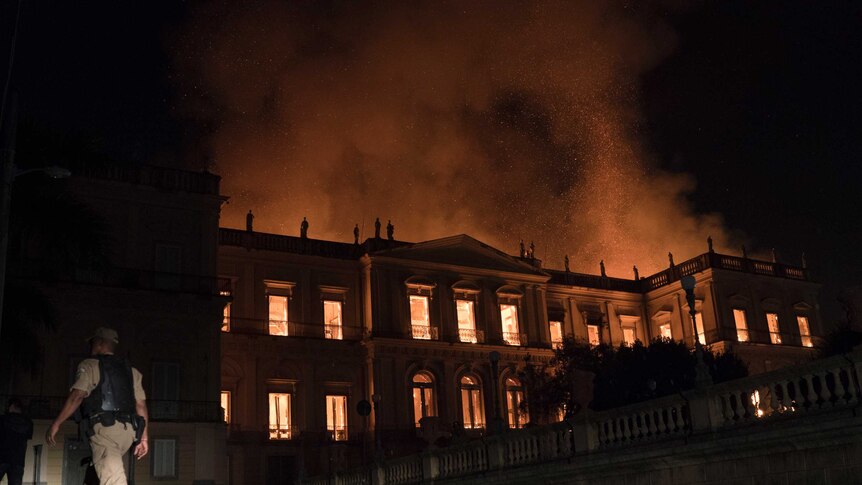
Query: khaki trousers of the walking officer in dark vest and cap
[{"x": 108, "y": 445}]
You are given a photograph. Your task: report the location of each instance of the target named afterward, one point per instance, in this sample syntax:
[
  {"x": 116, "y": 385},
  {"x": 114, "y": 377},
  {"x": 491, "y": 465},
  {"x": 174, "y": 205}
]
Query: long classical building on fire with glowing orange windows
[{"x": 318, "y": 329}]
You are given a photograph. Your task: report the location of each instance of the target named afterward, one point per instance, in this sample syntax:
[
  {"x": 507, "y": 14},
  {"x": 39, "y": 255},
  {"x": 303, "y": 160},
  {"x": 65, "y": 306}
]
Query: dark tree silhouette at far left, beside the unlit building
[{"x": 51, "y": 236}]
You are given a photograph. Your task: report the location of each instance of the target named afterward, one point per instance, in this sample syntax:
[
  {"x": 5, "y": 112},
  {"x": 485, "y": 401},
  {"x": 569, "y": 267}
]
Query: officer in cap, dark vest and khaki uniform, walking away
[{"x": 110, "y": 395}]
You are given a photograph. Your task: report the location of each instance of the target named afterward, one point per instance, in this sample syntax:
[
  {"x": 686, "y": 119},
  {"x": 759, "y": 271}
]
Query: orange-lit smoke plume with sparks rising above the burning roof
[{"x": 502, "y": 120}]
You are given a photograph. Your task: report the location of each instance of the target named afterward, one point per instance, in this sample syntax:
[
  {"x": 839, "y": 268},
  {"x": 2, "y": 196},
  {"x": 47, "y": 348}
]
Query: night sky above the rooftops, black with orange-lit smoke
[{"x": 756, "y": 105}]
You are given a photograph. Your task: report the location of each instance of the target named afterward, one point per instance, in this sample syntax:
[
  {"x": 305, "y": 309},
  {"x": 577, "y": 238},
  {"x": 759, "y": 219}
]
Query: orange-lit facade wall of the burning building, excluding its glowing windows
[{"x": 381, "y": 356}]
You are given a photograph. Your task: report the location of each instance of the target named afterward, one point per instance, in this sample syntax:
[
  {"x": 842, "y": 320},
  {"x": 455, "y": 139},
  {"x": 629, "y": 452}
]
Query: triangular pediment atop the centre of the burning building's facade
[{"x": 461, "y": 250}]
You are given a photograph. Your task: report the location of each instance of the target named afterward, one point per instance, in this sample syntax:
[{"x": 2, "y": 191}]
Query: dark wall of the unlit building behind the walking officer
[{"x": 165, "y": 305}]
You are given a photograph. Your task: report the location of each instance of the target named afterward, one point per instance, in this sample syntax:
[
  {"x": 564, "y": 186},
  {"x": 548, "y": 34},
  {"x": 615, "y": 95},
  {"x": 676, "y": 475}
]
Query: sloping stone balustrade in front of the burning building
[{"x": 797, "y": 396}]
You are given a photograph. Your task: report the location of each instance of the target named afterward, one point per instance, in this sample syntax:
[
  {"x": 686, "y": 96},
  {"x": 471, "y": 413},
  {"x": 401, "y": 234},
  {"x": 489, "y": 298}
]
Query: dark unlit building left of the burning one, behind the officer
[{"x": 155, "y": 281}]
